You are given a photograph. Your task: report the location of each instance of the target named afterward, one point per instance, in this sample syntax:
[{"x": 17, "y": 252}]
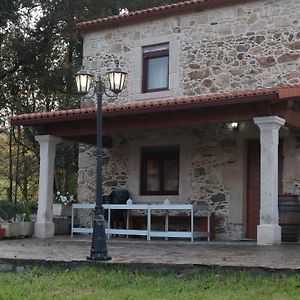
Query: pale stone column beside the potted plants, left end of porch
[{"x": 44, "y": 227}]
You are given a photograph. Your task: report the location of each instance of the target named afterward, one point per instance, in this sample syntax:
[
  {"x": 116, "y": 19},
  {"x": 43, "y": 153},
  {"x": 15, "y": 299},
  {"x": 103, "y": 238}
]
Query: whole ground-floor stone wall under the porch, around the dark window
[{"x": 206, "y": 154}]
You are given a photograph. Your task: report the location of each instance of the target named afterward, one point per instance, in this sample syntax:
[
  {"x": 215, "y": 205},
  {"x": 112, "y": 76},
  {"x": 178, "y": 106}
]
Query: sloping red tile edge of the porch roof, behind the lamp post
[{"x": 152, "y": 106}]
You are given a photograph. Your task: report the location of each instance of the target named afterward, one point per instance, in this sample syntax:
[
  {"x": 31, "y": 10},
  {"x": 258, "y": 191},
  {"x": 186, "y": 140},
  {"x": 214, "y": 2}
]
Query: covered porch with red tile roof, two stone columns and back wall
[{"x": 190, "y": 123}]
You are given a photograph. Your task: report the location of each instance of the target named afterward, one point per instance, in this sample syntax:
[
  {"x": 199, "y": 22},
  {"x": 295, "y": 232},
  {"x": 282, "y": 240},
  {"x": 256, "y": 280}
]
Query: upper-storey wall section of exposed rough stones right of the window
[{"x": 241, "y": 47}]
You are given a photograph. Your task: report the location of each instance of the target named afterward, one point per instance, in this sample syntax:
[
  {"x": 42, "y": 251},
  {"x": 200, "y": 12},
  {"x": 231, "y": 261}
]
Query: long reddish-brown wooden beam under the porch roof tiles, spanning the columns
[{"x": 207, "y": 115}]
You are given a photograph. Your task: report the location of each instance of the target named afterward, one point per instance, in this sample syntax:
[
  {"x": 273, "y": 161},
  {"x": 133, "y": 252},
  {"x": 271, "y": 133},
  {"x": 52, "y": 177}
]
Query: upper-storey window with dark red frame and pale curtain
[{"x": 155, "y": 68}]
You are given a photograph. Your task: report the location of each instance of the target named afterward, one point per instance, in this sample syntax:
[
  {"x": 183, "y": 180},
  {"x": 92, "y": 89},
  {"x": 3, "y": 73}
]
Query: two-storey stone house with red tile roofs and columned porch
[{"x": 194, "y": 69}]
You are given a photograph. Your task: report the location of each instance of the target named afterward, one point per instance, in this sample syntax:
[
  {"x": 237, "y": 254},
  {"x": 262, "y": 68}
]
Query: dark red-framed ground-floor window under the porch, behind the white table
[{"x": 160, "y": 170}]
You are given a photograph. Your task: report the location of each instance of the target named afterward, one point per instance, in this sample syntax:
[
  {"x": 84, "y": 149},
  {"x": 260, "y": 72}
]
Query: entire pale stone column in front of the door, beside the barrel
[{"x": 269, "y": 232}]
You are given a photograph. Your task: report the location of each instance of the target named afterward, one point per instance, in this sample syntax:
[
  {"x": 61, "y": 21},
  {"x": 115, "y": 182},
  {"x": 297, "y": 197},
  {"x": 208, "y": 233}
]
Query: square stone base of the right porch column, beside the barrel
[{"x": 268, "y": 234}]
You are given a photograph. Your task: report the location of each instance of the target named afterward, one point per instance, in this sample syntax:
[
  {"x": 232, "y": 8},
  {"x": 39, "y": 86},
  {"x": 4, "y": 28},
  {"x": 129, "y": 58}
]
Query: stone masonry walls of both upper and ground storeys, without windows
[{"x": 243, "y": 46}]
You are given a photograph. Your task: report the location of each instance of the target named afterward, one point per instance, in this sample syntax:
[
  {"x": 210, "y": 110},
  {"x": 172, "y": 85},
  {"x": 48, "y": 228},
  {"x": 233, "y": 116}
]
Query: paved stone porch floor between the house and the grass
[{"x": 157, "y": 253}]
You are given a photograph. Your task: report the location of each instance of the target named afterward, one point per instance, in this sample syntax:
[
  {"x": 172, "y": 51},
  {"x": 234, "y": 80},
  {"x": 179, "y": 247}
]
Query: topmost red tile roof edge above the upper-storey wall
[{"x": 154, "y": 12}]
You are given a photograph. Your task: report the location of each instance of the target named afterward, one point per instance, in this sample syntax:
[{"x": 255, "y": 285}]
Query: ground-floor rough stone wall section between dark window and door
[{"x": 215, "y": 150}]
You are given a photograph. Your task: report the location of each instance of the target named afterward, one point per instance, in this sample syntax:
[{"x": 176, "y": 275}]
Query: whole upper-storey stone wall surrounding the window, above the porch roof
[{"x": 236, "y": 47}]
